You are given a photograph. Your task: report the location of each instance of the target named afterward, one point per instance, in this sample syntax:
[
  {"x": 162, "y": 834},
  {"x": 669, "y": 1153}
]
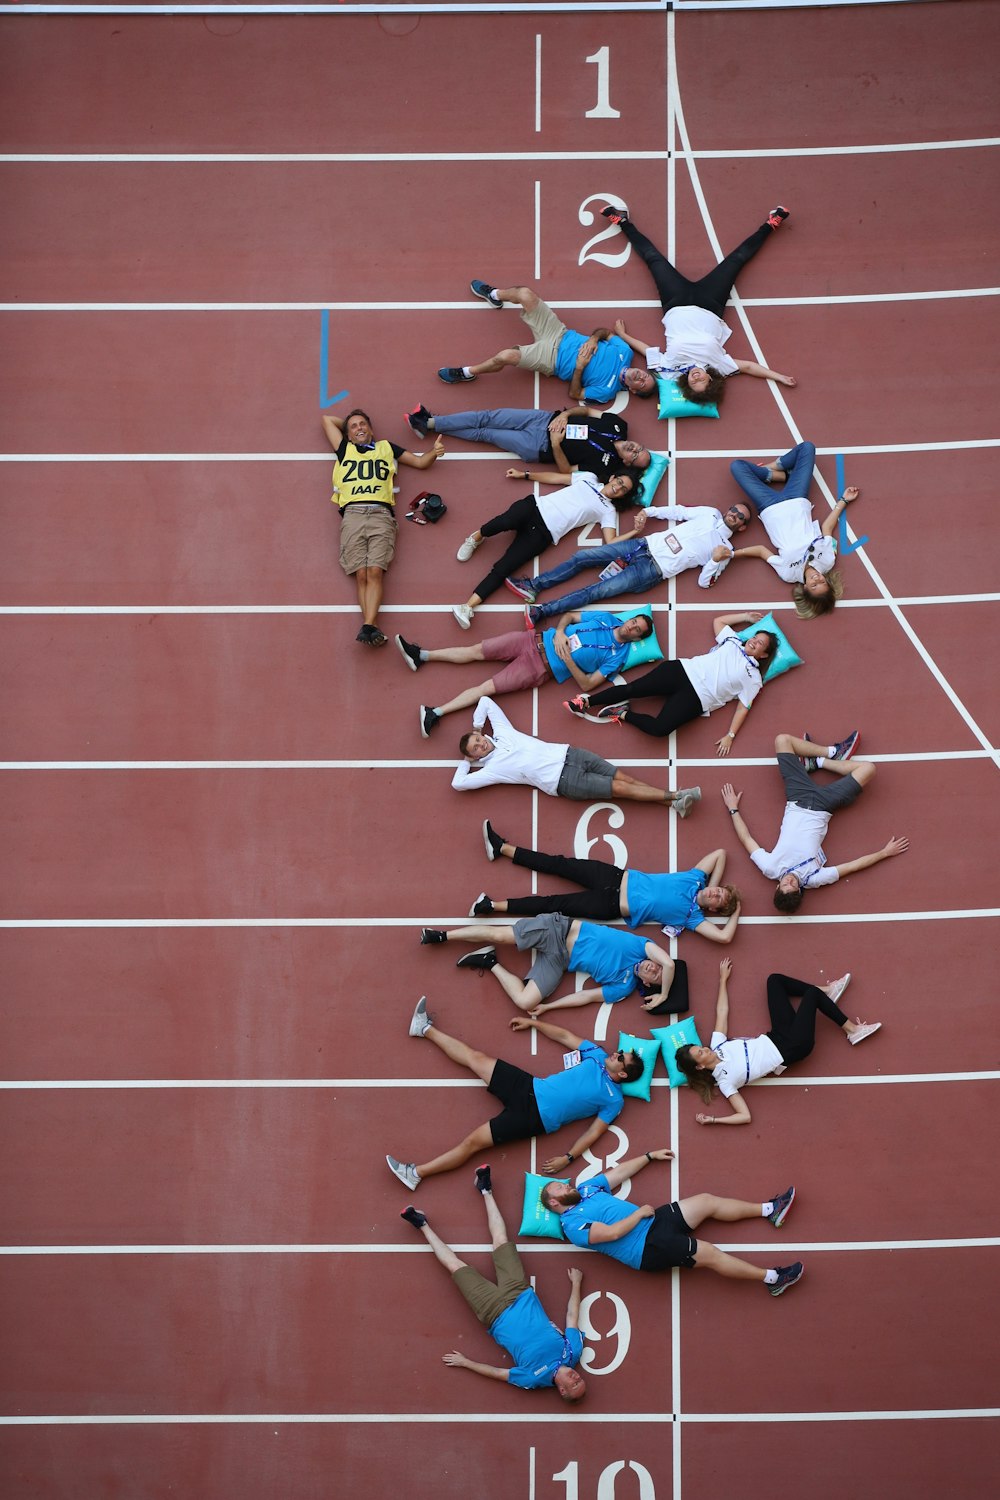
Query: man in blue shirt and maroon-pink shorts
[{"x": 585, "y": 649}]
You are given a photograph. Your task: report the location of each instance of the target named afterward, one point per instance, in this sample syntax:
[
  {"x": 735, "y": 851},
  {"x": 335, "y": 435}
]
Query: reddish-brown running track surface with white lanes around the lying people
[{"x": 223, "y": 830}]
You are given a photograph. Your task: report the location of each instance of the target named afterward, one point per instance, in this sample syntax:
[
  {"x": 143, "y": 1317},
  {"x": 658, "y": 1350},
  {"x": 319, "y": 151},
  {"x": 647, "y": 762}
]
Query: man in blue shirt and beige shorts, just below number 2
[{"x": 591, "y": 364}]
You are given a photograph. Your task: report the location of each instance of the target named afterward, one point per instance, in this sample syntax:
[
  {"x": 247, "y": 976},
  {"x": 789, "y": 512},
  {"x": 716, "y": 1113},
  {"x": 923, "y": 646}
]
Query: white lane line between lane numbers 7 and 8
[{"x": 157, "y": 1085}]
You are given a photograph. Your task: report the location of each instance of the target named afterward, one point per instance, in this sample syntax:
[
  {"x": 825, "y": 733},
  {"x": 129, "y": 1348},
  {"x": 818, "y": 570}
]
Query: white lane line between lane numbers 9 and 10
[{"x": 490, "y": 1418}]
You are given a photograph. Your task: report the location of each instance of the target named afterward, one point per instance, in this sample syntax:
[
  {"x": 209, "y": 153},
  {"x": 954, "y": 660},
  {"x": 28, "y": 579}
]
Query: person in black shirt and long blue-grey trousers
[{"x": 579, "y": 439}]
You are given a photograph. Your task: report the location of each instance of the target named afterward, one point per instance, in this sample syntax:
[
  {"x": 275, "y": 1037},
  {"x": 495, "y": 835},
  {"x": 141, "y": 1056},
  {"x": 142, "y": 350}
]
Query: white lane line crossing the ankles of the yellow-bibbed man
[{"x": 446, "y": 610}]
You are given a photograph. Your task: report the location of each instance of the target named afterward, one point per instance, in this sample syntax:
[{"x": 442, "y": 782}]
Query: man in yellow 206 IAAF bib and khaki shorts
[{"x": 364, "y": 493}]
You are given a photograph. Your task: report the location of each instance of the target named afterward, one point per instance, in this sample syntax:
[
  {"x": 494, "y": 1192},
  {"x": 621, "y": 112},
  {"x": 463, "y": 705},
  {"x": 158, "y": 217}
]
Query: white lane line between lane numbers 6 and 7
[{"x": 113, "y": 923}]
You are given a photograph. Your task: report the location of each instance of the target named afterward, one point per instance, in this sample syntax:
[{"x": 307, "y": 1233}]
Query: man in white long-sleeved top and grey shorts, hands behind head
[{"x": 507, "y": 757}]
